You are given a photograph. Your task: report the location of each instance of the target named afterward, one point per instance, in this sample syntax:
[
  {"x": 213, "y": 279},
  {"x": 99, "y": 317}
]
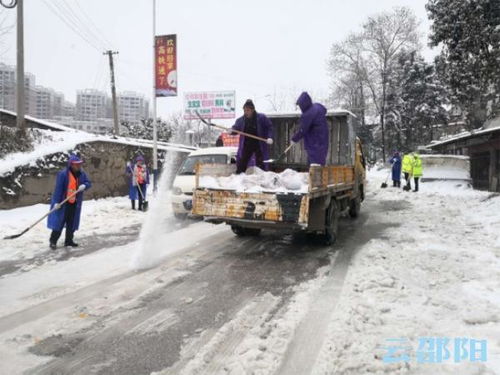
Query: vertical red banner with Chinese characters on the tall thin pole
[{"x": 166, "y": 65}]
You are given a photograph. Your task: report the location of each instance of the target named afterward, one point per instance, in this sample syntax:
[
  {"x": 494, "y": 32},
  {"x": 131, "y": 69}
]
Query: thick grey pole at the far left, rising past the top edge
[{"x": 20, "y": 109}]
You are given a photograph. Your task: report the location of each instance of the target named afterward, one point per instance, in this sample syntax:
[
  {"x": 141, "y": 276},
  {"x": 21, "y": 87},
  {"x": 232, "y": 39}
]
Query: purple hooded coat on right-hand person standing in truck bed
[{"x": 313, "y": 128}]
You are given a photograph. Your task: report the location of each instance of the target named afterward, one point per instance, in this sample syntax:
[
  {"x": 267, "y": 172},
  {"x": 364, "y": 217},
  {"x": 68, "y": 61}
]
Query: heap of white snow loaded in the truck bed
[{"x": 260, "y": 181}]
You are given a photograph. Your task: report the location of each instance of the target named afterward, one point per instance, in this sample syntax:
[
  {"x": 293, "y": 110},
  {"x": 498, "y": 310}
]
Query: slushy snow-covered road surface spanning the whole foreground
[{"x": 412, "y": 265}]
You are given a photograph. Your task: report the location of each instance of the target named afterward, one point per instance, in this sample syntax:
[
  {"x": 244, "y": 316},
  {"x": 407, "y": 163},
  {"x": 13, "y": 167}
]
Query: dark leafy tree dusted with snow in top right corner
[{"x": 469, "y": 33}]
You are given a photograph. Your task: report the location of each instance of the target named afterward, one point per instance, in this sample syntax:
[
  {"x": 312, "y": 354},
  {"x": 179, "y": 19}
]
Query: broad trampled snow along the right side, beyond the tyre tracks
[{"x": 432, "y": 271}]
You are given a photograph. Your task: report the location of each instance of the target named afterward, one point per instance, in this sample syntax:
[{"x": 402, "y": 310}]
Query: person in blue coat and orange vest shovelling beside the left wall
[{"x": 71, "y": 182}]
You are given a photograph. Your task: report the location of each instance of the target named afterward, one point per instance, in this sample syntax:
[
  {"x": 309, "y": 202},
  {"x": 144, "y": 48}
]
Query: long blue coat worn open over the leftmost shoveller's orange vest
[{"x": 55, "y": 220}]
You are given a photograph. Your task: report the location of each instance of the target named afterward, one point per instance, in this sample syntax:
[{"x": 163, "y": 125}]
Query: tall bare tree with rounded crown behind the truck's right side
[{"x": 367, "y": 58}]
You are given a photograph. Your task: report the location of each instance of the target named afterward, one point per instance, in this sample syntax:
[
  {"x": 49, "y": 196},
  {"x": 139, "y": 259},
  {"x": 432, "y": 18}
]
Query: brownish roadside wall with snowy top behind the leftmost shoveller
[{"x": 104, "y": 164}]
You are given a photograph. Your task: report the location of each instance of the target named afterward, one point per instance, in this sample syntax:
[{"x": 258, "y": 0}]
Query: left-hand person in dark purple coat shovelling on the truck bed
[{"x": 256, "y": 124}]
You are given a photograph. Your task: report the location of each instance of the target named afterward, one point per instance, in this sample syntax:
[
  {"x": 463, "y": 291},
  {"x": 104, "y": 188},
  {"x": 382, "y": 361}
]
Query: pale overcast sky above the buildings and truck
[{"x": 256, "y": 47}]
